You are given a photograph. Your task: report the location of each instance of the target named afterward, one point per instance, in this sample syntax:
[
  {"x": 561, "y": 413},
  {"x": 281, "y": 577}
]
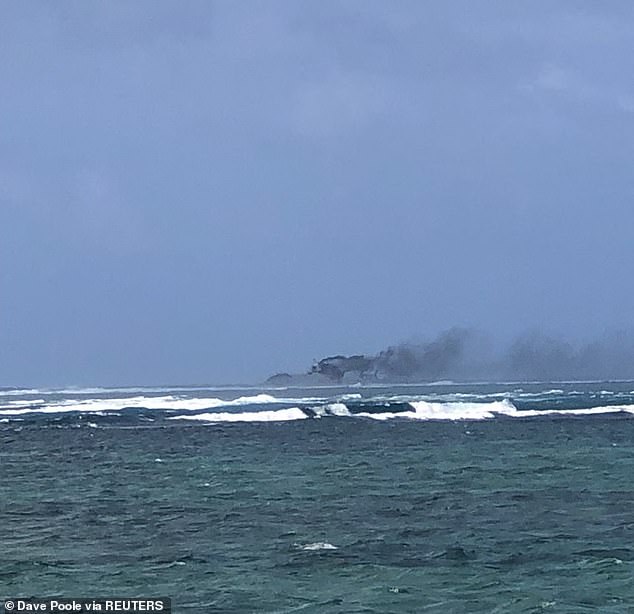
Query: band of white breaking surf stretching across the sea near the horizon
[{"x": 368, "y": 403}]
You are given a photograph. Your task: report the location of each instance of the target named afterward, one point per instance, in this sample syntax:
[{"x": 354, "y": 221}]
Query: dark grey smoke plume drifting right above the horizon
[{"x": 465, "y": 354}]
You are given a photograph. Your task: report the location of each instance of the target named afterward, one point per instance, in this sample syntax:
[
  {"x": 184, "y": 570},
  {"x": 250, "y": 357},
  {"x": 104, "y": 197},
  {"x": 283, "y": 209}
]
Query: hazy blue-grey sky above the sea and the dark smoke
[{"x": 213, "y": 191}]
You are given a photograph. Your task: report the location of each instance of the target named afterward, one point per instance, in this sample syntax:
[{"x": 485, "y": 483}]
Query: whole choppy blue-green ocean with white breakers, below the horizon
[{"x": 485, "y": 497}]
